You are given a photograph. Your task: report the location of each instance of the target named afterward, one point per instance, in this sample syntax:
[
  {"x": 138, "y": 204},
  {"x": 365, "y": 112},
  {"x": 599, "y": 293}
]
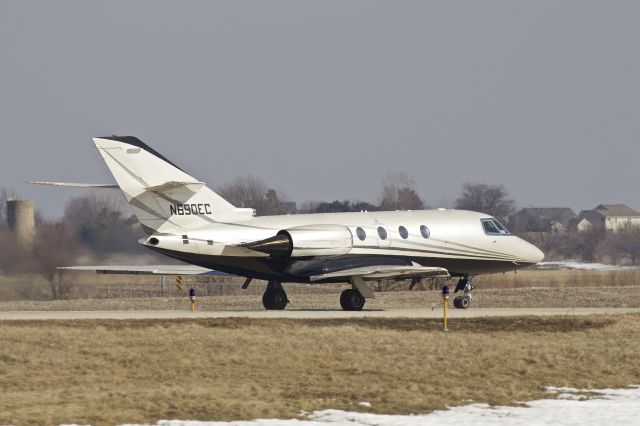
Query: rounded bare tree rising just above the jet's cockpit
[{"x": 490, "y": 199}]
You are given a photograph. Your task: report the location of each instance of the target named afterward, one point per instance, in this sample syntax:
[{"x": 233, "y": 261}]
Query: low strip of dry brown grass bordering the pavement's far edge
[{"x": 566, "y": 297}]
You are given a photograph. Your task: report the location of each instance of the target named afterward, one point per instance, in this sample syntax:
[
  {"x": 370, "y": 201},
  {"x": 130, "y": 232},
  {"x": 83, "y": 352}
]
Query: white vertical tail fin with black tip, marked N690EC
[{"x": 163, "y": 197}]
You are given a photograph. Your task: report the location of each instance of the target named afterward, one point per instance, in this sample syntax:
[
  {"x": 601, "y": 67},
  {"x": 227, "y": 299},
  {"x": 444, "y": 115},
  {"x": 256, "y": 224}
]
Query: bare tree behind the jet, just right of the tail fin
[{"x": 251, "y": 192}]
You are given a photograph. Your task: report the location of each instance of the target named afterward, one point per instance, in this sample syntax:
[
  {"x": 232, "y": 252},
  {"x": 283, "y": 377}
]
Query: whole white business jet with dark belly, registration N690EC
[{"x": 186, "y": 220}]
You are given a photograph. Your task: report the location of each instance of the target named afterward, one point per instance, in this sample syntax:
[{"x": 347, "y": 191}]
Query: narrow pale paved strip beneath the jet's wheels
[{"x": 310, "y": 314}]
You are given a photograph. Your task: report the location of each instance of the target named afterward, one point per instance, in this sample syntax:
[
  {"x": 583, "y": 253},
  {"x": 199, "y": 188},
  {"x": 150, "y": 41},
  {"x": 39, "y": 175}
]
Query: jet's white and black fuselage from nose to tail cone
[{"x": 463, "y": 242}]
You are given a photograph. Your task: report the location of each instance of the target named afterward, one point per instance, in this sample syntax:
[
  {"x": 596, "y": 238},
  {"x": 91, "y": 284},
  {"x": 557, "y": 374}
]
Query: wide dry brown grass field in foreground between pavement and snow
[{"x": 108, "y": 372}]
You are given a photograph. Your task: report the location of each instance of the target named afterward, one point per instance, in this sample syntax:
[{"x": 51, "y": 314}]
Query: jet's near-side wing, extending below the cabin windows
[{"x": 386, "y": 271}]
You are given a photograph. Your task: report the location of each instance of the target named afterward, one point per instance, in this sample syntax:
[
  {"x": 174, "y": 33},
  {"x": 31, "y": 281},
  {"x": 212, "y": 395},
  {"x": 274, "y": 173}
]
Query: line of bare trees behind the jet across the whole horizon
[{"x": 101, "y": 224}]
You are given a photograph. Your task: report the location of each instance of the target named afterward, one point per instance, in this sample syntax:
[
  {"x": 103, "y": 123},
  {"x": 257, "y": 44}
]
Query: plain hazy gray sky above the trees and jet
[{"x": 322, "y": 99}]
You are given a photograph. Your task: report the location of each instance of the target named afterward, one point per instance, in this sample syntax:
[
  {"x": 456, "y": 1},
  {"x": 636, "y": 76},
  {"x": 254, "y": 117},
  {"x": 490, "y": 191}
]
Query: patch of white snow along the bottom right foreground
[{"x": 571, "y": 407}]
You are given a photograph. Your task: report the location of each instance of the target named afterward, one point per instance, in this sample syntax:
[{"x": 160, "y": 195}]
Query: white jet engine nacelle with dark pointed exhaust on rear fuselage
[{"x": 306, "y": 241}]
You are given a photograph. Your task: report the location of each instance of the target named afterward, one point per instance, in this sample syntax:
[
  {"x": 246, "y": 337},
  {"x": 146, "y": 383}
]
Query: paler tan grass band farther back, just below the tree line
[{"x": 91, "y": 286}]
